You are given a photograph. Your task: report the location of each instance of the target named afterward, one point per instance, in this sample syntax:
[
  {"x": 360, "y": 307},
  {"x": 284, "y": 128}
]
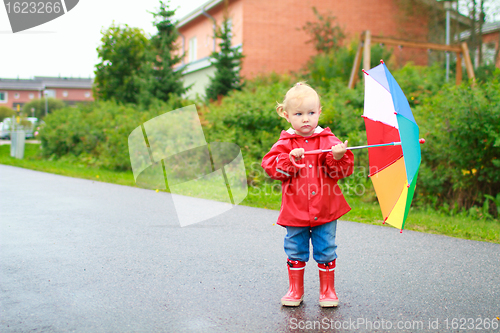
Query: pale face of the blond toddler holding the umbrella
[{"x": 304, "y": 115}]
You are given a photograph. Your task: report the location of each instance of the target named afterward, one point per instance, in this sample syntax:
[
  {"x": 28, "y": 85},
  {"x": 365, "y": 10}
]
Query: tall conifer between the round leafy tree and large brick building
[{"x": 158, "y": 77}]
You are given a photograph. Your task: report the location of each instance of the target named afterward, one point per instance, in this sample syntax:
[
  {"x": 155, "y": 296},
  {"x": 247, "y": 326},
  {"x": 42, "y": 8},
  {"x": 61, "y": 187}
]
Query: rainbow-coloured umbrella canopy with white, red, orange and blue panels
[{"x": 393, "y": 169}]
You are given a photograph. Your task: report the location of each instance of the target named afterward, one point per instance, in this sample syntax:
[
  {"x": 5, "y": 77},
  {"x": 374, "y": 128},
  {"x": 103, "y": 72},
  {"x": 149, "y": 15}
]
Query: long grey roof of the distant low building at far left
[{"x": 40, "y": 83}]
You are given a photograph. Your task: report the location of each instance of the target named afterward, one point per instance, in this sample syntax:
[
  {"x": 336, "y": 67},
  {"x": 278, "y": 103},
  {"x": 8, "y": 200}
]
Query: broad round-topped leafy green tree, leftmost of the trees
[{"x": 122, "y": 54}]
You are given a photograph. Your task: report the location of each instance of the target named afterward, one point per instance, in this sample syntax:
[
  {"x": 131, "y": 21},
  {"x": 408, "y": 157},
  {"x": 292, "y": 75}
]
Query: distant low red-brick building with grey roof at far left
[{"x": 14, "y": 92}]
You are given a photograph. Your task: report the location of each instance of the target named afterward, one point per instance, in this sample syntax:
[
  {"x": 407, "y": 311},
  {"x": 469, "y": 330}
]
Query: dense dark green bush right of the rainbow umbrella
[{"x": 461, "y": 157}]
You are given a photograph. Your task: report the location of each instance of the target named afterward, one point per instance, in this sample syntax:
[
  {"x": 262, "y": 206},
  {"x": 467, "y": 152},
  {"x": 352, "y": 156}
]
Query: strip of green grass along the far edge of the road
[{"x": 269, "y": 197}]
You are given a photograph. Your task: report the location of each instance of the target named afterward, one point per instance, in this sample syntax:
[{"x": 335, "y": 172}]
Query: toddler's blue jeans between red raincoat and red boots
[{"x": 322, "y": 238}]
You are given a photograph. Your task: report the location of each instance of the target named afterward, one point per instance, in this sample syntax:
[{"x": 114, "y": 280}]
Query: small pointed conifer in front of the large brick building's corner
[{"x": 227, "y": 64}]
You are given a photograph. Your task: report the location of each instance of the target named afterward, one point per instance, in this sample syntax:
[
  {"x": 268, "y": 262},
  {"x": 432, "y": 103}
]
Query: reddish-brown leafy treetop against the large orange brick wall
[{"x": 326, "y": 34}]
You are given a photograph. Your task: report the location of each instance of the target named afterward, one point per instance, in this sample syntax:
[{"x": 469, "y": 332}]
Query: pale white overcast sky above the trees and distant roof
[{"x": 67, "y": 45}]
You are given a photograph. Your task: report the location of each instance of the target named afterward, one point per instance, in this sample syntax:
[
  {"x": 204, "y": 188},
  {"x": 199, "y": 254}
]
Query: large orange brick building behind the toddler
[{"x": 271, "y": 36}]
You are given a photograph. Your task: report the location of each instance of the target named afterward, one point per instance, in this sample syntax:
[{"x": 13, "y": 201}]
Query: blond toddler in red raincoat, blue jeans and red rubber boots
[{"x": 311, "y": 199}]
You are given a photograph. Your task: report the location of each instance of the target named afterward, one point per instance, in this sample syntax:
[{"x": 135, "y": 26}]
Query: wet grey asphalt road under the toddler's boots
[{"x": 84, "y": 256}]
